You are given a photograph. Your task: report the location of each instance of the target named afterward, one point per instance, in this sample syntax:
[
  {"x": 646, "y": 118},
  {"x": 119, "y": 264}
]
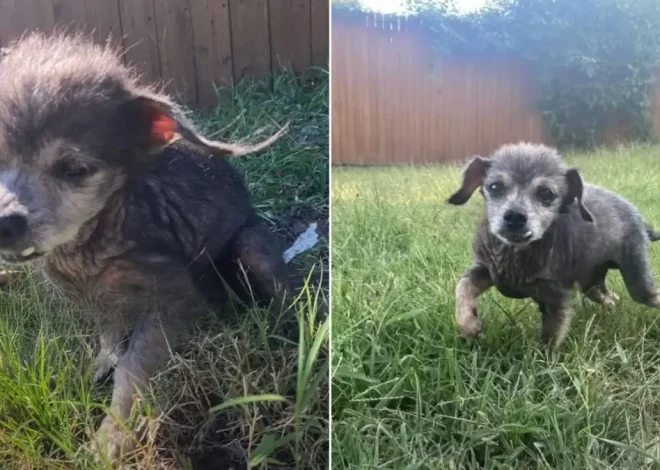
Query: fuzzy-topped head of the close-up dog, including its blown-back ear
[{"x": 75, "y": 124}]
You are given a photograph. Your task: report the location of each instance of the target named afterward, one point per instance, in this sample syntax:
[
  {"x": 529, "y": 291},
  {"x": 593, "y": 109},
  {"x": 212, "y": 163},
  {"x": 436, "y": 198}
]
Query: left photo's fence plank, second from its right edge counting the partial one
[{"x": 290, "y": 34}]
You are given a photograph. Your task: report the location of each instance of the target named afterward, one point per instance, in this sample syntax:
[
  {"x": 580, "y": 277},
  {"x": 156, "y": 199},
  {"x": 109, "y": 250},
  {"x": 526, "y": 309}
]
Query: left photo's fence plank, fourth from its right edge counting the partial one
[{"x": 213, "y": 54}]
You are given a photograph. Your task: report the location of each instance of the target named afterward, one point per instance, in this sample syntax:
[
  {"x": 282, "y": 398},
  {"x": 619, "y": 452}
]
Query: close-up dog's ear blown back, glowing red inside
[{"x": 165, "y": 122}]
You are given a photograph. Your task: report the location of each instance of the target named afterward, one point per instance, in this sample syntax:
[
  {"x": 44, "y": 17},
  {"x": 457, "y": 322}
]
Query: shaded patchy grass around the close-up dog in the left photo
[{"x": 218, "y": 403}]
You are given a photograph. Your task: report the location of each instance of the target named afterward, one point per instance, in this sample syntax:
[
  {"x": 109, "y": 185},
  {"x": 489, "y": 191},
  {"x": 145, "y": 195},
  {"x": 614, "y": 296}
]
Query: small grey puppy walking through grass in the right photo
[{"x": 546, "y": 231}]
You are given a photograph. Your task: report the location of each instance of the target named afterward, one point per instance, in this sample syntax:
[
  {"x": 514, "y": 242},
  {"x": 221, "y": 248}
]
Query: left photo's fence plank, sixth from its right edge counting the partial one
[{"x": 140, "y": 38}]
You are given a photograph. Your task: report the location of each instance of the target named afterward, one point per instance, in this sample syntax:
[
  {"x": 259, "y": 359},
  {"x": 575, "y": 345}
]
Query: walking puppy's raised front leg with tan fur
[{"x": 474, "y": 282}]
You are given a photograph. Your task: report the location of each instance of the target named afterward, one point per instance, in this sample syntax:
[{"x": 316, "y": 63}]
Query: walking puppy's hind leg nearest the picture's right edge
[{"x": 637, "y": 275}]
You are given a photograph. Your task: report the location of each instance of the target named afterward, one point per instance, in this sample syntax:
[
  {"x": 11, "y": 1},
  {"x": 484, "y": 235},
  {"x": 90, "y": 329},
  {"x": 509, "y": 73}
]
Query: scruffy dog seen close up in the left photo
[{"x": 108, "y": 189}]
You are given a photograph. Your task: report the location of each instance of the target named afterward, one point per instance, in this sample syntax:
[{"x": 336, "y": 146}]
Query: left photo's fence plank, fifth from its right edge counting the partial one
[{"x": 175, "y": 40}]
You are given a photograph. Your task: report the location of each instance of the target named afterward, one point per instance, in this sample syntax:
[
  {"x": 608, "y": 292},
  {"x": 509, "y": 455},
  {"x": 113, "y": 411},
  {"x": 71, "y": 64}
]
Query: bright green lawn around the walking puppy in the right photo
[{"x": 409, "y": 393}]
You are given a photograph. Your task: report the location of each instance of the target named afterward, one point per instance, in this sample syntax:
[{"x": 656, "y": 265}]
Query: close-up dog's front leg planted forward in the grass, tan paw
[{"x": 157, "y": 297}]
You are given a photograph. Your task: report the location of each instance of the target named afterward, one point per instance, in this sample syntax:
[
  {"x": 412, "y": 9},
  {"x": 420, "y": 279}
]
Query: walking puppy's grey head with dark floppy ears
[{"x": 526, "y": 187}]
